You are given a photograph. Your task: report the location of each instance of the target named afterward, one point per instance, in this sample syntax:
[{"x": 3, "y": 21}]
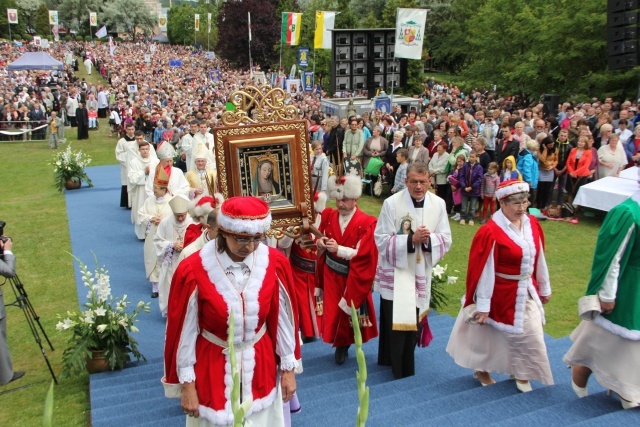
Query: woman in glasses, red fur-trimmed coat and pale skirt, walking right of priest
[{"x": 499, "y": 328}]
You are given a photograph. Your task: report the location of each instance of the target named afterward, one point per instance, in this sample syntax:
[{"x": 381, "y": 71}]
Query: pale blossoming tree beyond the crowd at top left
[{"x": 130, "y": 15}]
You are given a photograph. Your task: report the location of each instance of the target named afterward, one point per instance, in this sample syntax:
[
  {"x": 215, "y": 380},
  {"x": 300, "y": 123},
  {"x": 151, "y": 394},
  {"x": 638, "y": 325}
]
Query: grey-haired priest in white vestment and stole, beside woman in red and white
[{"x": 412, "y": 235}]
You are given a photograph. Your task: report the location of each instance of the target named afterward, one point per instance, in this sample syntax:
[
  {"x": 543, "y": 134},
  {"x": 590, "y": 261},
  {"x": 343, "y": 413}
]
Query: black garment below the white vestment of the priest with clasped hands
[{"x": 395, "y": 348}]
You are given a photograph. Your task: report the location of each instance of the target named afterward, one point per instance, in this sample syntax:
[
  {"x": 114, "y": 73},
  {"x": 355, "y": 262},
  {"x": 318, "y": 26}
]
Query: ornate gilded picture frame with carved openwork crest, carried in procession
[{"x": 264, "y": 127}]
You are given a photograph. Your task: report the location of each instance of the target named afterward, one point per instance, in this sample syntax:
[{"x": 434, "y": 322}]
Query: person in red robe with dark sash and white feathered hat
[{"x": 347, "y": 260}]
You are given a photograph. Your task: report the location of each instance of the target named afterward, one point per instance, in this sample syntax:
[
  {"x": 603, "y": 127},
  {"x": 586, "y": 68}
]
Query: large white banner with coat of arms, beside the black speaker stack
[{"x": 410, "y": 25}]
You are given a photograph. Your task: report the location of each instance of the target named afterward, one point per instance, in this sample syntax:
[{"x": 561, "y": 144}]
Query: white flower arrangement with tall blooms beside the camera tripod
[{"x": 105, "y": 325}]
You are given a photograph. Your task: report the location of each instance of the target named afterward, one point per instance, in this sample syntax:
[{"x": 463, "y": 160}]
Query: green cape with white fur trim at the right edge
[{"x": 620, "y": 224}]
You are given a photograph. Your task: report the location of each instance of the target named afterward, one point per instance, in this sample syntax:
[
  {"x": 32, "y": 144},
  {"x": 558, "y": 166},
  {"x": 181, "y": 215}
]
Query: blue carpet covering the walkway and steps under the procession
[{"x": 441, "y": 394}]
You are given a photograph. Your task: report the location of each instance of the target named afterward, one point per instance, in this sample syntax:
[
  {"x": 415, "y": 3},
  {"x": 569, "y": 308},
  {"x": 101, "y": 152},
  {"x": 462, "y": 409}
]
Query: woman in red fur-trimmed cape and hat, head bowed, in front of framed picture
[{"x": 234, "y": 273}]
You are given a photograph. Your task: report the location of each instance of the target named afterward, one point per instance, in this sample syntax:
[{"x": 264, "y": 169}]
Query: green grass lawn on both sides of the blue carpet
[{"x": 37, "y": 221}]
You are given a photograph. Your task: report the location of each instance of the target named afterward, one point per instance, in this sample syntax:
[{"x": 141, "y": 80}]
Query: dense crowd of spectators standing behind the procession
[{"x": 140, "y": 86}]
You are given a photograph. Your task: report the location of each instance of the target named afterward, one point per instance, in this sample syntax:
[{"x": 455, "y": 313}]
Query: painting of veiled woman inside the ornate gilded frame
[{"x": 266, "y": 173}]
